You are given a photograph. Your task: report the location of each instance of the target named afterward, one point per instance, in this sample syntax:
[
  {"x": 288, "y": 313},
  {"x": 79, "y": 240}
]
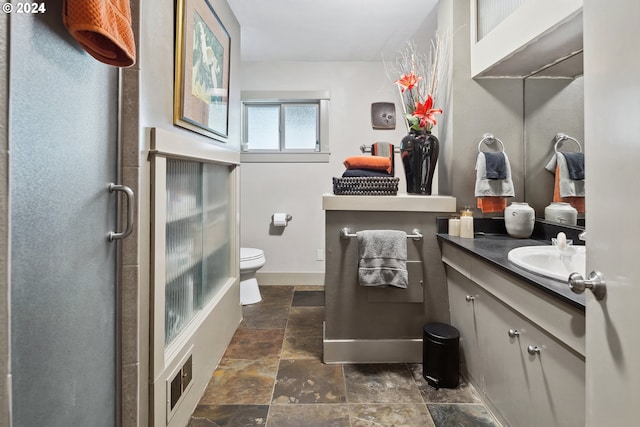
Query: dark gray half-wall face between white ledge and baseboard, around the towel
[{"x": 357, "y": 312}]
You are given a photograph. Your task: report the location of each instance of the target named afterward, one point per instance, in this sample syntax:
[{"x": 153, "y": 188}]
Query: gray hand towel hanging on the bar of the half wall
[{"x": 383, "y": 258}]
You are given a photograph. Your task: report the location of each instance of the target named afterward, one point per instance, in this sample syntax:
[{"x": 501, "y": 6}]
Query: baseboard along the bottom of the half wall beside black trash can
[{"x": 407, "y": 350}]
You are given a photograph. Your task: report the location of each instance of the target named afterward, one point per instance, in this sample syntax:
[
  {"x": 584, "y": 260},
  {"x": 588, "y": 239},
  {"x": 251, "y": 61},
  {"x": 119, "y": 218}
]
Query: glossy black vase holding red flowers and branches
[{"x": 419, "y": 153}]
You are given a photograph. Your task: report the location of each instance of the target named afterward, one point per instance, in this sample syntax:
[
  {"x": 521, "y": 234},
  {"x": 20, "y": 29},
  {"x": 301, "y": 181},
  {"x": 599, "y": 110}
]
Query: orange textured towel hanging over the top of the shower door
[{"x": 103, "y": 28}]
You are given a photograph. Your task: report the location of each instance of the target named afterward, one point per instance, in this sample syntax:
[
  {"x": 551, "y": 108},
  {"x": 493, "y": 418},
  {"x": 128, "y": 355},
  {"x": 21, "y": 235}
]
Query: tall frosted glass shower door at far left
[{"x": 63, "y": 152}]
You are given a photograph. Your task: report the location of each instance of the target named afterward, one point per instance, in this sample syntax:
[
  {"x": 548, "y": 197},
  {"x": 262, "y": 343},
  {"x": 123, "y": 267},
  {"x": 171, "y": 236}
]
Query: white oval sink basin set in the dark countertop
[{"x": 547, "y": 260}]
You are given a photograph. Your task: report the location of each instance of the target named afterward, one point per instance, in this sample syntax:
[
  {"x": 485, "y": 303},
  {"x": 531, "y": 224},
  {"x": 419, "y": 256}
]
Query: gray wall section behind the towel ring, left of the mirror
[{"x": 476, "y": 107}]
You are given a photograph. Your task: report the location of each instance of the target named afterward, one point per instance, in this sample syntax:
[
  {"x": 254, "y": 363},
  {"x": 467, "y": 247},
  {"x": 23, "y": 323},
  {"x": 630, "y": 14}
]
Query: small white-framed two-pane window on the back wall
[{"x": 285, "y": 127}]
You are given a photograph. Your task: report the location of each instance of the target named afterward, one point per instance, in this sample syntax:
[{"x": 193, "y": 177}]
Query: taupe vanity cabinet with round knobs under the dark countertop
[{"x": 522, "y": 350}]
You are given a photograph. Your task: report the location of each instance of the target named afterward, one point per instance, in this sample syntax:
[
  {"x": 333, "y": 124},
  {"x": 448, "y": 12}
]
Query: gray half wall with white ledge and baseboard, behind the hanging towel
[{"x": 378, "y": 324}]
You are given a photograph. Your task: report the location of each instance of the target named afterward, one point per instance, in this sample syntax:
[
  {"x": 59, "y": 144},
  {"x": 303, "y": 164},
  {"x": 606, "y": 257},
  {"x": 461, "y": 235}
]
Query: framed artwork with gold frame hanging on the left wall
[{"x": 201, "y": 89}]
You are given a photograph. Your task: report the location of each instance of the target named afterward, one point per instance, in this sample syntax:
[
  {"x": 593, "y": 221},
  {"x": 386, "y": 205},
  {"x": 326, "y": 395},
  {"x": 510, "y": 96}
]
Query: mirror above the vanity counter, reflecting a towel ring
[{"x": 553, "y": 103}]
